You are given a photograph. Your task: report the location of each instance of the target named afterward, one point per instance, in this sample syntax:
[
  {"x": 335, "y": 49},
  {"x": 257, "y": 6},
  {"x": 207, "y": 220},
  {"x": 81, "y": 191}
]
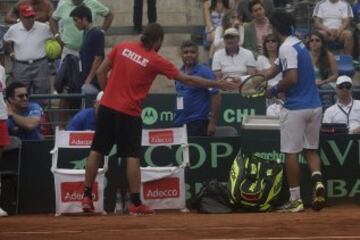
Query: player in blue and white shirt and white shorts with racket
[{"x": 300, "y": 117}]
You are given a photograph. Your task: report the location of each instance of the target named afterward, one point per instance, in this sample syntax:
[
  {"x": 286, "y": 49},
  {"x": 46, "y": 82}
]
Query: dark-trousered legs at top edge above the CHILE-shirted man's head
[{"x": 137, "y": 15}]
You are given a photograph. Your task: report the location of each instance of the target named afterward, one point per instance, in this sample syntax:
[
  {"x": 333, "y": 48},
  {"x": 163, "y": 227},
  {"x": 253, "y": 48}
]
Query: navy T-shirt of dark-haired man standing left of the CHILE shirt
[{"x": 93, "y": 45}]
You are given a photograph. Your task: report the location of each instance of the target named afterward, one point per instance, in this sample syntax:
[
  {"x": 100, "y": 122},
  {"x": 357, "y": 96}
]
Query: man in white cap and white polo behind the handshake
[{"x": 233, "y": 60}]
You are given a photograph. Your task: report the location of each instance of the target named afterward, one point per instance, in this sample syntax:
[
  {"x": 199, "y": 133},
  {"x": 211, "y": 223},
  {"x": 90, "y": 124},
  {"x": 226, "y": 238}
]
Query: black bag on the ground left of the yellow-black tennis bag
[{"x": 212, "y": 198}]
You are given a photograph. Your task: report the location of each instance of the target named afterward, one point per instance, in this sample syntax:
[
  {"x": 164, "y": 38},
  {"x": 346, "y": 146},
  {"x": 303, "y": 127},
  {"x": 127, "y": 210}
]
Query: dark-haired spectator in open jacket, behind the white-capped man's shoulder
[{"x": 256, "y": 30}]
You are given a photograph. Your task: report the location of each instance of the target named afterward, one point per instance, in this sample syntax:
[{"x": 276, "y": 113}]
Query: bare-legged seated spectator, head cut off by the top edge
[{"x": 213, "y": 11}]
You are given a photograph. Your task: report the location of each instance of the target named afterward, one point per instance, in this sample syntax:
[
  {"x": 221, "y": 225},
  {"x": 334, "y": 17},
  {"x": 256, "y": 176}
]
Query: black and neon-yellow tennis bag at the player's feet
[{"x": 254, "y": 183}]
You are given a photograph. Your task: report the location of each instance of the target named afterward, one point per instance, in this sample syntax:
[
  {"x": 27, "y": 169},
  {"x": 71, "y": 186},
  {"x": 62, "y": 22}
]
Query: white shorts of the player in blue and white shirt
[{"x": 299, "y": 129}]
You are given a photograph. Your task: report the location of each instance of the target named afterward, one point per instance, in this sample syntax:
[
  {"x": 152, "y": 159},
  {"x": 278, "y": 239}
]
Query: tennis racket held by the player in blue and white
[{"x": 253, "y": 86}]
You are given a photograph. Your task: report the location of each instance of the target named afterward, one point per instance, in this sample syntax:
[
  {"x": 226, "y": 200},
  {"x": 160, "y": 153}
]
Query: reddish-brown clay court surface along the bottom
[{"x": 338, "y": 222}]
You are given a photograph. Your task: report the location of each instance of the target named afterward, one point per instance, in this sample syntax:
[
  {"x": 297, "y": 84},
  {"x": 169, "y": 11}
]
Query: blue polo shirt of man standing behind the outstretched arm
[{"x": 196, "y": 100}]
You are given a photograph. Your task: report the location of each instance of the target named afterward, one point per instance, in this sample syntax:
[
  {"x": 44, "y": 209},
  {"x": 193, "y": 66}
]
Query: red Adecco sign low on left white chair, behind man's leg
[{"x": 74, "y": 191}]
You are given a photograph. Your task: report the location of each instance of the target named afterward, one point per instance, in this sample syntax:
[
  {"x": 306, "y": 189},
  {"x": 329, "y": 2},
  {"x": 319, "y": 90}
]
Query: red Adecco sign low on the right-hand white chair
[{"x": 163, "y": 188}]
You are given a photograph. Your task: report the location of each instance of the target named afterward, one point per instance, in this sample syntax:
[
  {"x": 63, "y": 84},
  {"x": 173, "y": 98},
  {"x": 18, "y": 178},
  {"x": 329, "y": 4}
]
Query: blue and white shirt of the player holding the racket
[{"x": 304, "y": 94}]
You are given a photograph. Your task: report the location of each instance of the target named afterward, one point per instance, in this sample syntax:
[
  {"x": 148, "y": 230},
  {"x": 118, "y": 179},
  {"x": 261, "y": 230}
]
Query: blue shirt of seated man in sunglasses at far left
[{"x": 32, "y": 110}]
